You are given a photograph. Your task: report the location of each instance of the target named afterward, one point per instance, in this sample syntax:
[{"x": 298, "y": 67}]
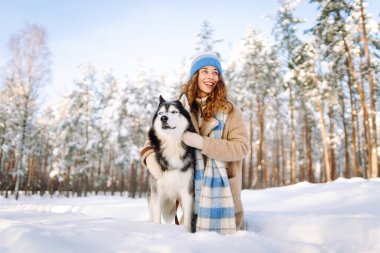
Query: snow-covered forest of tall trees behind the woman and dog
[{"x": 309, "y": 101}]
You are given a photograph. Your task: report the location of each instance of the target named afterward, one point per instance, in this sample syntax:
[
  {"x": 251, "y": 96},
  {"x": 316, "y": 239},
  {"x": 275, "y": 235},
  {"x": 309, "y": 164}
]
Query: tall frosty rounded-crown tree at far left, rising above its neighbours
[{"x": 26, "y": 72}]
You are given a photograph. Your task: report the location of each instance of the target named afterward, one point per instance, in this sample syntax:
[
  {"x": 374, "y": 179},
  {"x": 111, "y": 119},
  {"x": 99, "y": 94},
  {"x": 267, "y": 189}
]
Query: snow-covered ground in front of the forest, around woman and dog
[{"x": 342, "y": 216}]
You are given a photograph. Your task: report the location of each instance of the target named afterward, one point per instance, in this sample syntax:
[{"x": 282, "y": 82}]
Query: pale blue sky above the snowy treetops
[{"x": 123, "y": 35}]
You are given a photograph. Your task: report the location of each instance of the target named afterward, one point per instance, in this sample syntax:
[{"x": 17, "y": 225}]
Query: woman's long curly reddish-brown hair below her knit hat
[{"x": 216, "y": 101}]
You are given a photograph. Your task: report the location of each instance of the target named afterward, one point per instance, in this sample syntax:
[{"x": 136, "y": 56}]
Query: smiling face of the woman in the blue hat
[{"x": 207, "y": 80}]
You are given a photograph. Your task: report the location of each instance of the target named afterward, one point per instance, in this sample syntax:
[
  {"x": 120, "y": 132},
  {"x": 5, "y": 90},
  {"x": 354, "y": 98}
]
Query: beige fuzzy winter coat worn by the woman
[{"x": 232, "y": 149}]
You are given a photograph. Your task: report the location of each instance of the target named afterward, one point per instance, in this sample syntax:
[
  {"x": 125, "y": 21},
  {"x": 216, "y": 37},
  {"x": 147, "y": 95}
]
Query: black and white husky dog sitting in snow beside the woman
[{"x": 177, "y": 160}]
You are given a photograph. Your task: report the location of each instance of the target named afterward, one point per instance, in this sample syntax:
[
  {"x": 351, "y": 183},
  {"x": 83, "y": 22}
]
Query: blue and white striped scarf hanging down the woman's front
[{"x": 213, "y": 198}]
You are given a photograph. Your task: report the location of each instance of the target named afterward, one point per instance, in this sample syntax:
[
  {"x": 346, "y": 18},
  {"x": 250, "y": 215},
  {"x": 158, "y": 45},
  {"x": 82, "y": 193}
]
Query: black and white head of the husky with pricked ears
[{"x": 172, "y": 116}]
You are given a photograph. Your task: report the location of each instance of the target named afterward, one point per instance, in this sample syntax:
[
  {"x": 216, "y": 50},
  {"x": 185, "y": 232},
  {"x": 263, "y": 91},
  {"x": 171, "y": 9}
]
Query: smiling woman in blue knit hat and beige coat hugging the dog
[{"x": 221, "y": 144}]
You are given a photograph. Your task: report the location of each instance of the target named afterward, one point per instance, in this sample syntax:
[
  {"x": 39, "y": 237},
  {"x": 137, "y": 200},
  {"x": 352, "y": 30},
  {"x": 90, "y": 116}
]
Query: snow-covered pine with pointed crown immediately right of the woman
[{"x": 254, "y": 75}]
